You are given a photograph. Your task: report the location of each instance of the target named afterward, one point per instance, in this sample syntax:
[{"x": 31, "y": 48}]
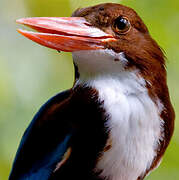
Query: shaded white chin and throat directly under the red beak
[{"x": 103, "y": 62}]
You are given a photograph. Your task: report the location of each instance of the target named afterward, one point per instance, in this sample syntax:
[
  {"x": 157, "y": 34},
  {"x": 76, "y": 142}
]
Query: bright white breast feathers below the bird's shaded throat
[{"x": 134, "y": 123}]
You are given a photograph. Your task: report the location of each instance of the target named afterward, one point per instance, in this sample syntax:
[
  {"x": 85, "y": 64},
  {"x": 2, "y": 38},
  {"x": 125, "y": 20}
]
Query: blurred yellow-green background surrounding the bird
[{"x": 30, "y": 74}]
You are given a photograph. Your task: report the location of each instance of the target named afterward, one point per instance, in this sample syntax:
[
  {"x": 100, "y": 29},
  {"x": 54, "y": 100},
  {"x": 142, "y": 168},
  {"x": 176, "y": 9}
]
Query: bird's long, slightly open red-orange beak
[{"x": 65, "y": 34}]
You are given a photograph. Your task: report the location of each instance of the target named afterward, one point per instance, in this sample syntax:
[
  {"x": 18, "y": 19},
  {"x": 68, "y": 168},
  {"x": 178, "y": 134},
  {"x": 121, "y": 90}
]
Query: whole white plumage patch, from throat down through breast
[{"x": 134, "y": 122}]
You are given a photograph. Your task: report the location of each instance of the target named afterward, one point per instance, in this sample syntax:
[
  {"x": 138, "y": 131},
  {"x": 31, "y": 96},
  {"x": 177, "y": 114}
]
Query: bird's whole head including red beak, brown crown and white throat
[{"x": 104, "y": 39}]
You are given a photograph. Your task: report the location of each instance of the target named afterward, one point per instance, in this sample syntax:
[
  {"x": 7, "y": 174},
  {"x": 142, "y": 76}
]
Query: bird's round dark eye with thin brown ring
[{"x": 121, "y": 25}]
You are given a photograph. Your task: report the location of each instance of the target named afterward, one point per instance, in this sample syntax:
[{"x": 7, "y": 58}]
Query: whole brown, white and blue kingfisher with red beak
[{"x": 117, "y": 120}]
